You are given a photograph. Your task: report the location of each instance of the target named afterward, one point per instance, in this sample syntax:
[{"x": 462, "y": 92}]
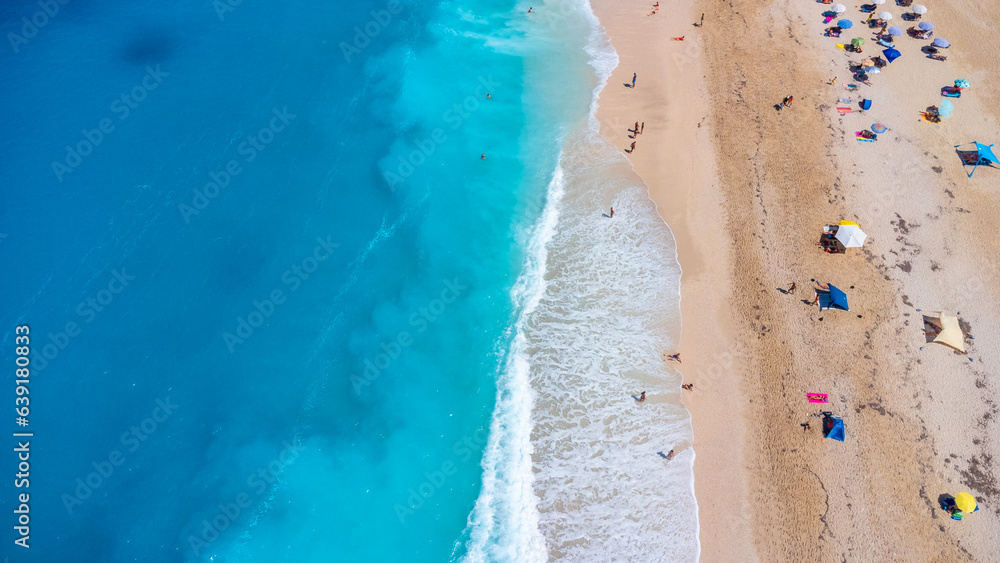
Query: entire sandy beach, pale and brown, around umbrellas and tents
[{"x": 746, "y": 190}]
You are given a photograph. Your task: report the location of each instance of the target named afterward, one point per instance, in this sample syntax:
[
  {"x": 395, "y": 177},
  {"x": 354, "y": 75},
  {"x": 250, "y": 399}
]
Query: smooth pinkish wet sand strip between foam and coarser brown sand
[{"x": 680, "y": 176}]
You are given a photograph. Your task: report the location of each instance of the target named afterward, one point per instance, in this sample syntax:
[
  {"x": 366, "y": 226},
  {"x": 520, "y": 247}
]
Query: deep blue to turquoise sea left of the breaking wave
[{"x": 266, "y": 272}]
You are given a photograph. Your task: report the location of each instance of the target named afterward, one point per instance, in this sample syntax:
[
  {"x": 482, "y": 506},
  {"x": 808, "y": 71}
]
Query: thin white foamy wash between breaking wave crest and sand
[{"x": 609, "y": 311}]
